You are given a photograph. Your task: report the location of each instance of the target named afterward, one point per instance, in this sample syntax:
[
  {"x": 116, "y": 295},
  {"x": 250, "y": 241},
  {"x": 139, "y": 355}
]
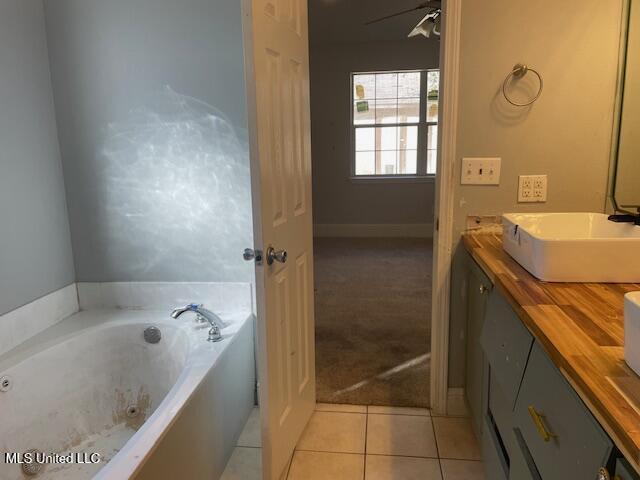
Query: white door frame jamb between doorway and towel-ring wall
[{"x": 444, "y": 204}]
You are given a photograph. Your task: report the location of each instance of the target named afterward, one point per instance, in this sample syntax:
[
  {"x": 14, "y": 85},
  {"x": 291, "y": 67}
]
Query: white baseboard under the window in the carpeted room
[{"x": 386, "y": 230}]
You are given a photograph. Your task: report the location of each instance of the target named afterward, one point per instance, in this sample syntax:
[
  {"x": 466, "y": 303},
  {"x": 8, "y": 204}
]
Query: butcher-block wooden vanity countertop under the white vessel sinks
[{"x": 581, "y": 326}]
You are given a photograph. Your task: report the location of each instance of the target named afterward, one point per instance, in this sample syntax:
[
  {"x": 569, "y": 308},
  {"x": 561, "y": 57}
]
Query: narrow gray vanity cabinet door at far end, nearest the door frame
[{"x": 478, "y": 288}]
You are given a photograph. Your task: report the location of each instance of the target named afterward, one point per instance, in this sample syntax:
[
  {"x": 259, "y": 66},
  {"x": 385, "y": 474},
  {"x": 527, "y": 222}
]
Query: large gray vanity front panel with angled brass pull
[{"x": 564, "y": 439}]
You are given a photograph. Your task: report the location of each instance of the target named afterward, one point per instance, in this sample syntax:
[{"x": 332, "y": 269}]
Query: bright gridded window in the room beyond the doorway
[{"x": 395, "y": 123}]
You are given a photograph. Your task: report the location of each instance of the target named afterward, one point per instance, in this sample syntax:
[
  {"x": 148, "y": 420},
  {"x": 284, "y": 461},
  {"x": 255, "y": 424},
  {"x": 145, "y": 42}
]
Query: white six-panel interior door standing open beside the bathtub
[{"x": 277, "y": 58}]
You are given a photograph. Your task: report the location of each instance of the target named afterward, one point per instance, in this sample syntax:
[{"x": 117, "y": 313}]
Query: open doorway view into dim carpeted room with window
[{"x": 374, "y": 117}]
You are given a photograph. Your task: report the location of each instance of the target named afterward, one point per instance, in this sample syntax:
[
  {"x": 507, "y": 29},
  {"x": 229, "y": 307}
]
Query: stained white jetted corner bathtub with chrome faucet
[{"x": 92, "y": 385}]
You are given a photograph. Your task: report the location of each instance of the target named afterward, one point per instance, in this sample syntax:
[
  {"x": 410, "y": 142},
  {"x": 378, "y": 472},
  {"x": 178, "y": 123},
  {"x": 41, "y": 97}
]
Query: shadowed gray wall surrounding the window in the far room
[{"x": 337, "y": 200}]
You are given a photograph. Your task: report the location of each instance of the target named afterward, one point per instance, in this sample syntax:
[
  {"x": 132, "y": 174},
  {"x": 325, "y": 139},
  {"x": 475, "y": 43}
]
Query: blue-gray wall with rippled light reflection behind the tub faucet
[{"x": 150, "y": 105}]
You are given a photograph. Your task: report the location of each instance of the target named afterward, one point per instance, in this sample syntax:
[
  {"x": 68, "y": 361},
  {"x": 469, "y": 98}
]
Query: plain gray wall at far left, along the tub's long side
[{"x": 35, "y": 246}]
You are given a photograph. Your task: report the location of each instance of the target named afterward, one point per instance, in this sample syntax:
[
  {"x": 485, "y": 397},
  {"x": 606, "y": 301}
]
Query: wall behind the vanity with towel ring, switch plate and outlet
[{"x": 566, "y": 134}]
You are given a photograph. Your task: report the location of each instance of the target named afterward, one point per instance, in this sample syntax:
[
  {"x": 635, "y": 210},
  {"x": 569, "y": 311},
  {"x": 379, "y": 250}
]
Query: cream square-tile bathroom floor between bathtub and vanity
[{"x": 352, "y": 442}]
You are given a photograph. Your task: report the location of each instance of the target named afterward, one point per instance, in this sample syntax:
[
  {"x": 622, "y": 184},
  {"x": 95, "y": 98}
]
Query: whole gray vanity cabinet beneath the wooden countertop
[{"x": 531, "y": 423}]
